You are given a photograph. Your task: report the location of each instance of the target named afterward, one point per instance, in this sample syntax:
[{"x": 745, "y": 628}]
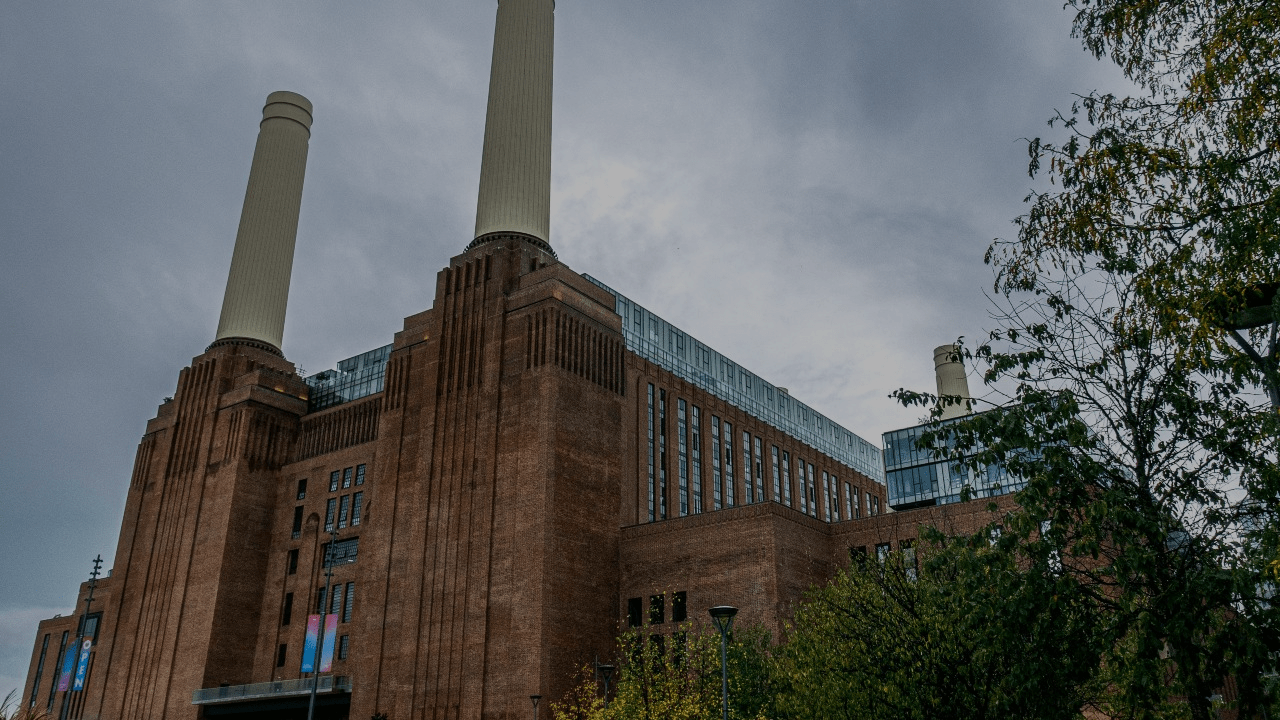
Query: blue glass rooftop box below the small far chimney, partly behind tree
[{"x": 916, "y": 479}]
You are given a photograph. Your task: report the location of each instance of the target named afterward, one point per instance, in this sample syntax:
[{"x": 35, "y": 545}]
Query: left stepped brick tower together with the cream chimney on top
[{"x": 193, "y": 549}]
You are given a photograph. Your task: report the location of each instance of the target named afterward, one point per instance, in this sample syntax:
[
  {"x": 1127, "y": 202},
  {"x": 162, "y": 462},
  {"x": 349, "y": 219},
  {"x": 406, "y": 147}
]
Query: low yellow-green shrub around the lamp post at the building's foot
[{"x": 678, "y": 678}]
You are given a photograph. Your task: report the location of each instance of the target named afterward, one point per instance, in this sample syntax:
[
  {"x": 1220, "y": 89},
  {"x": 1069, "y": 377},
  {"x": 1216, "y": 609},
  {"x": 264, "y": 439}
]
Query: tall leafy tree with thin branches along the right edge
[{"x": 1151, "y": 461}]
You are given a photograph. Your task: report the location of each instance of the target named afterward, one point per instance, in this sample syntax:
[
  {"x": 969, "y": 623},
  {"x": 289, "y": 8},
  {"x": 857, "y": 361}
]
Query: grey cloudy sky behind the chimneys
[{"x": 807, "y": 186}]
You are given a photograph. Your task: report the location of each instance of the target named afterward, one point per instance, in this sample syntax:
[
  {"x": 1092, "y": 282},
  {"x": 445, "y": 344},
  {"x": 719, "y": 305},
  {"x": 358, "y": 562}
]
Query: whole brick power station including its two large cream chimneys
[{"x": 477, "y": 509}]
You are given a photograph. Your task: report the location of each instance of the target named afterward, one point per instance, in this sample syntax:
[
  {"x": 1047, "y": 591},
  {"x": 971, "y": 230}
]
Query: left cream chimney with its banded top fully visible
[{"x": 258, "y": 286}]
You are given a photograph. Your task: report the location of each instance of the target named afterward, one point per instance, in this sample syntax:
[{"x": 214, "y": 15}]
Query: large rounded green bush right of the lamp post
[{"x": 884, "y": 642}]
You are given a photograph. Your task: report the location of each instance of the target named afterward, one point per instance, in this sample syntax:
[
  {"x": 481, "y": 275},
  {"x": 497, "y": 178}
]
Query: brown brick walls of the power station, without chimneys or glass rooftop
[{"x": 504, "y": 513}]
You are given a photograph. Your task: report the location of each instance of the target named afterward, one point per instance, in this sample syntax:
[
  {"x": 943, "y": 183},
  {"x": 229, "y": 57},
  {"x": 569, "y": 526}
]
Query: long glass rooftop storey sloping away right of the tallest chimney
[{"x": 674, "y": 350}]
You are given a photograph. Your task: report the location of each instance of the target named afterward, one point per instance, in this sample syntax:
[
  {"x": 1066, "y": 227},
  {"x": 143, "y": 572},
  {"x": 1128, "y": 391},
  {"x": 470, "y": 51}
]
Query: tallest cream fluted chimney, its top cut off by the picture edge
[{"x": 516, "y": 166}]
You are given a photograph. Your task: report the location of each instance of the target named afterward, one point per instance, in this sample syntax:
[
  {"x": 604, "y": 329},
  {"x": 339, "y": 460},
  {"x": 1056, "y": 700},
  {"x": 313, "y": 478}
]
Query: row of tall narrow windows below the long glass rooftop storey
[{"x": 740, "y": 476}]
